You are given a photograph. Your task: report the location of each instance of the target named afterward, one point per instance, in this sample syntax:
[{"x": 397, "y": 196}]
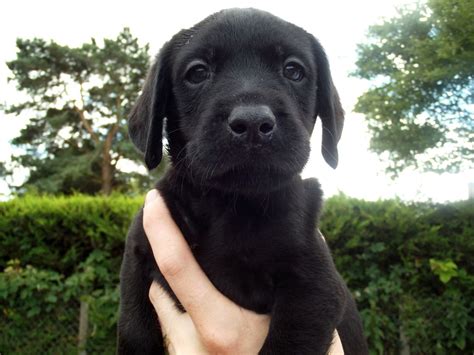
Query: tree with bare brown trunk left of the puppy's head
[{"x": 78, "y": 99}]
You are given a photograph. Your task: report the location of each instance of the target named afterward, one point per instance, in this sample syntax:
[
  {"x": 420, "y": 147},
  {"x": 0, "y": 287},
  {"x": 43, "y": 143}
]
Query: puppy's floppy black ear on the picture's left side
[{"x": 145, "y": 125}]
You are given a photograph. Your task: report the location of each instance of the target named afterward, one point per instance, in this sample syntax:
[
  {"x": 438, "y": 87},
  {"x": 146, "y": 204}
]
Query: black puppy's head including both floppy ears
[{"x": 240, "y": 91}]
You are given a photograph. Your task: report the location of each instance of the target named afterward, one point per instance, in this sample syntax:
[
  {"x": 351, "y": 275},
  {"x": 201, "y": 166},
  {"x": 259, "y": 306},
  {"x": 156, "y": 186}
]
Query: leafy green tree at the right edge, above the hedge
[{"x": 420, "y": 105}]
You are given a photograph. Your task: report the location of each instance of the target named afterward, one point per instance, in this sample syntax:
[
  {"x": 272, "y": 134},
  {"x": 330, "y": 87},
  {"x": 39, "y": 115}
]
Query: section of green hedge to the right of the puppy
[{"x": 410, "y": 267}]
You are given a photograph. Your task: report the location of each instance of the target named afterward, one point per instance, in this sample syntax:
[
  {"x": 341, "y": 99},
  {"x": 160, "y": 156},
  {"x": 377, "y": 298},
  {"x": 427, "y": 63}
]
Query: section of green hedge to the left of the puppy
[{"x": 56, "y": 252}]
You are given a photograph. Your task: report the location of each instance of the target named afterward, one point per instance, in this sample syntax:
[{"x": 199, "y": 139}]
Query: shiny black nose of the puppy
[{"x": 253, "y": 123}]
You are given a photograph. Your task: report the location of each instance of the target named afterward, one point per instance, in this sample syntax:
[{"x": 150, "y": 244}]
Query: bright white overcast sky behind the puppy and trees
[{"x": 339, "y": 25}]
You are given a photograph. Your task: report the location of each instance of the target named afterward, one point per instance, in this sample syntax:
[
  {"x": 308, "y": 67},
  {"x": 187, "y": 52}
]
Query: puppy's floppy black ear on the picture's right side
[{"x": 328, "y": 108}]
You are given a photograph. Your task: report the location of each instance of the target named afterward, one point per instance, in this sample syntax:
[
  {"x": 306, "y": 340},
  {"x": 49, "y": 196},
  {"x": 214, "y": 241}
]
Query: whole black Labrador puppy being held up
[{"x": 240, "y": 92}]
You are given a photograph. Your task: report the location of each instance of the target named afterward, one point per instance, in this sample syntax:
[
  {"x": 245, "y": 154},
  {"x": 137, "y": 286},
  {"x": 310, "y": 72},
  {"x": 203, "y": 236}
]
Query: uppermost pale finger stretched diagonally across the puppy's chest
[{"x": 176, "y": 262}]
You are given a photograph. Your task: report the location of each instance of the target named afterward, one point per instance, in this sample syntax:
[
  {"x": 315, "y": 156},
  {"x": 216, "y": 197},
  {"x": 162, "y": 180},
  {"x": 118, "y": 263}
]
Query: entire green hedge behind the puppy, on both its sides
[{"x": 410, "y": 267}]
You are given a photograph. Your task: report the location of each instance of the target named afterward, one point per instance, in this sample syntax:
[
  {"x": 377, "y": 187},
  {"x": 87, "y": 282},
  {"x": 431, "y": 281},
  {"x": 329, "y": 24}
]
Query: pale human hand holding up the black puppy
[{"x": 212, "y": 322}]
